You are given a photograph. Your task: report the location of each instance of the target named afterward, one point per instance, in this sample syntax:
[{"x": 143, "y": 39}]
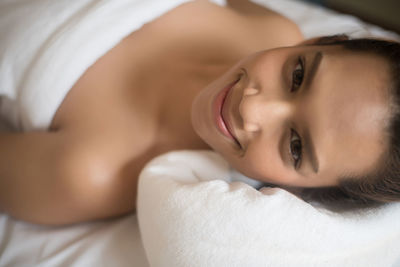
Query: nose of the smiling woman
[{"x": 260, "y": 110}]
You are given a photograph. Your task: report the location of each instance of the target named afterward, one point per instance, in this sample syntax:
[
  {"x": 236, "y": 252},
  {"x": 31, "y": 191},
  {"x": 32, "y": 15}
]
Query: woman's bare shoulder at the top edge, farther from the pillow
[{"x": 245, "y": 26}]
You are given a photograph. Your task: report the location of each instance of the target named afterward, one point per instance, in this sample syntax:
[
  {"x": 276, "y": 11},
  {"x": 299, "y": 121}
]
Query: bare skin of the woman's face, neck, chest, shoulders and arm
[{"x": 124, "y": 111}]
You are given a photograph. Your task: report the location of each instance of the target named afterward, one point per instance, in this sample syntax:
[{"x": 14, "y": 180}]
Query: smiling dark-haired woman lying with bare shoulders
[{"x": 300, "y": 114}]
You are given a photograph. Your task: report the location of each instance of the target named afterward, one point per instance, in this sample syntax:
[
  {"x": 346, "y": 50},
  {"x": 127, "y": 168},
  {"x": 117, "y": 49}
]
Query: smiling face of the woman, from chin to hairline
[{"x": 298, "y": 116}]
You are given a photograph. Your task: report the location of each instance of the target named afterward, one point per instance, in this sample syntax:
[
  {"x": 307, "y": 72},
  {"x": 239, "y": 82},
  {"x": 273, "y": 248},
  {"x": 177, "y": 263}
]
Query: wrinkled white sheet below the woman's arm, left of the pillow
[{"x": 109, "y": 243}]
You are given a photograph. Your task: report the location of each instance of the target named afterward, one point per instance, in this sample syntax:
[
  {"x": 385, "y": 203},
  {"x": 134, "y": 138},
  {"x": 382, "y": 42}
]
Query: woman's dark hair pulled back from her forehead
[{"x": 383, "y": 184}]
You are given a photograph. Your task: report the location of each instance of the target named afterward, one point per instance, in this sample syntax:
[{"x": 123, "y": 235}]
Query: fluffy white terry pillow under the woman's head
[{"x": 191, "y": 214}]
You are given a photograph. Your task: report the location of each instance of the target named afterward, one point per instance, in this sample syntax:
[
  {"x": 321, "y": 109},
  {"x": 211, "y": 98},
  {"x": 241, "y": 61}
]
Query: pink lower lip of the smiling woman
[{"x": 218, "y": 105}]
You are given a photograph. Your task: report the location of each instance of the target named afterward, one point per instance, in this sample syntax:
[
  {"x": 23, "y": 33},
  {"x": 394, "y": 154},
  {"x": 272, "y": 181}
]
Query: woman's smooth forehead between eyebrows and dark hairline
[{"x": 350, "y": 108}]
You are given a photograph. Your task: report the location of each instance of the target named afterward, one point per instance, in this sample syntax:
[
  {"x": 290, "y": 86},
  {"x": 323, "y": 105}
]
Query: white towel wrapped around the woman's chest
[{"x": 46, "y": 45}]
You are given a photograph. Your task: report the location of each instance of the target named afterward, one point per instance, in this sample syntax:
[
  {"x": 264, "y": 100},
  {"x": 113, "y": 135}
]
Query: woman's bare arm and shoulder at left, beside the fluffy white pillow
[{"x": 60, "y": 178}]
